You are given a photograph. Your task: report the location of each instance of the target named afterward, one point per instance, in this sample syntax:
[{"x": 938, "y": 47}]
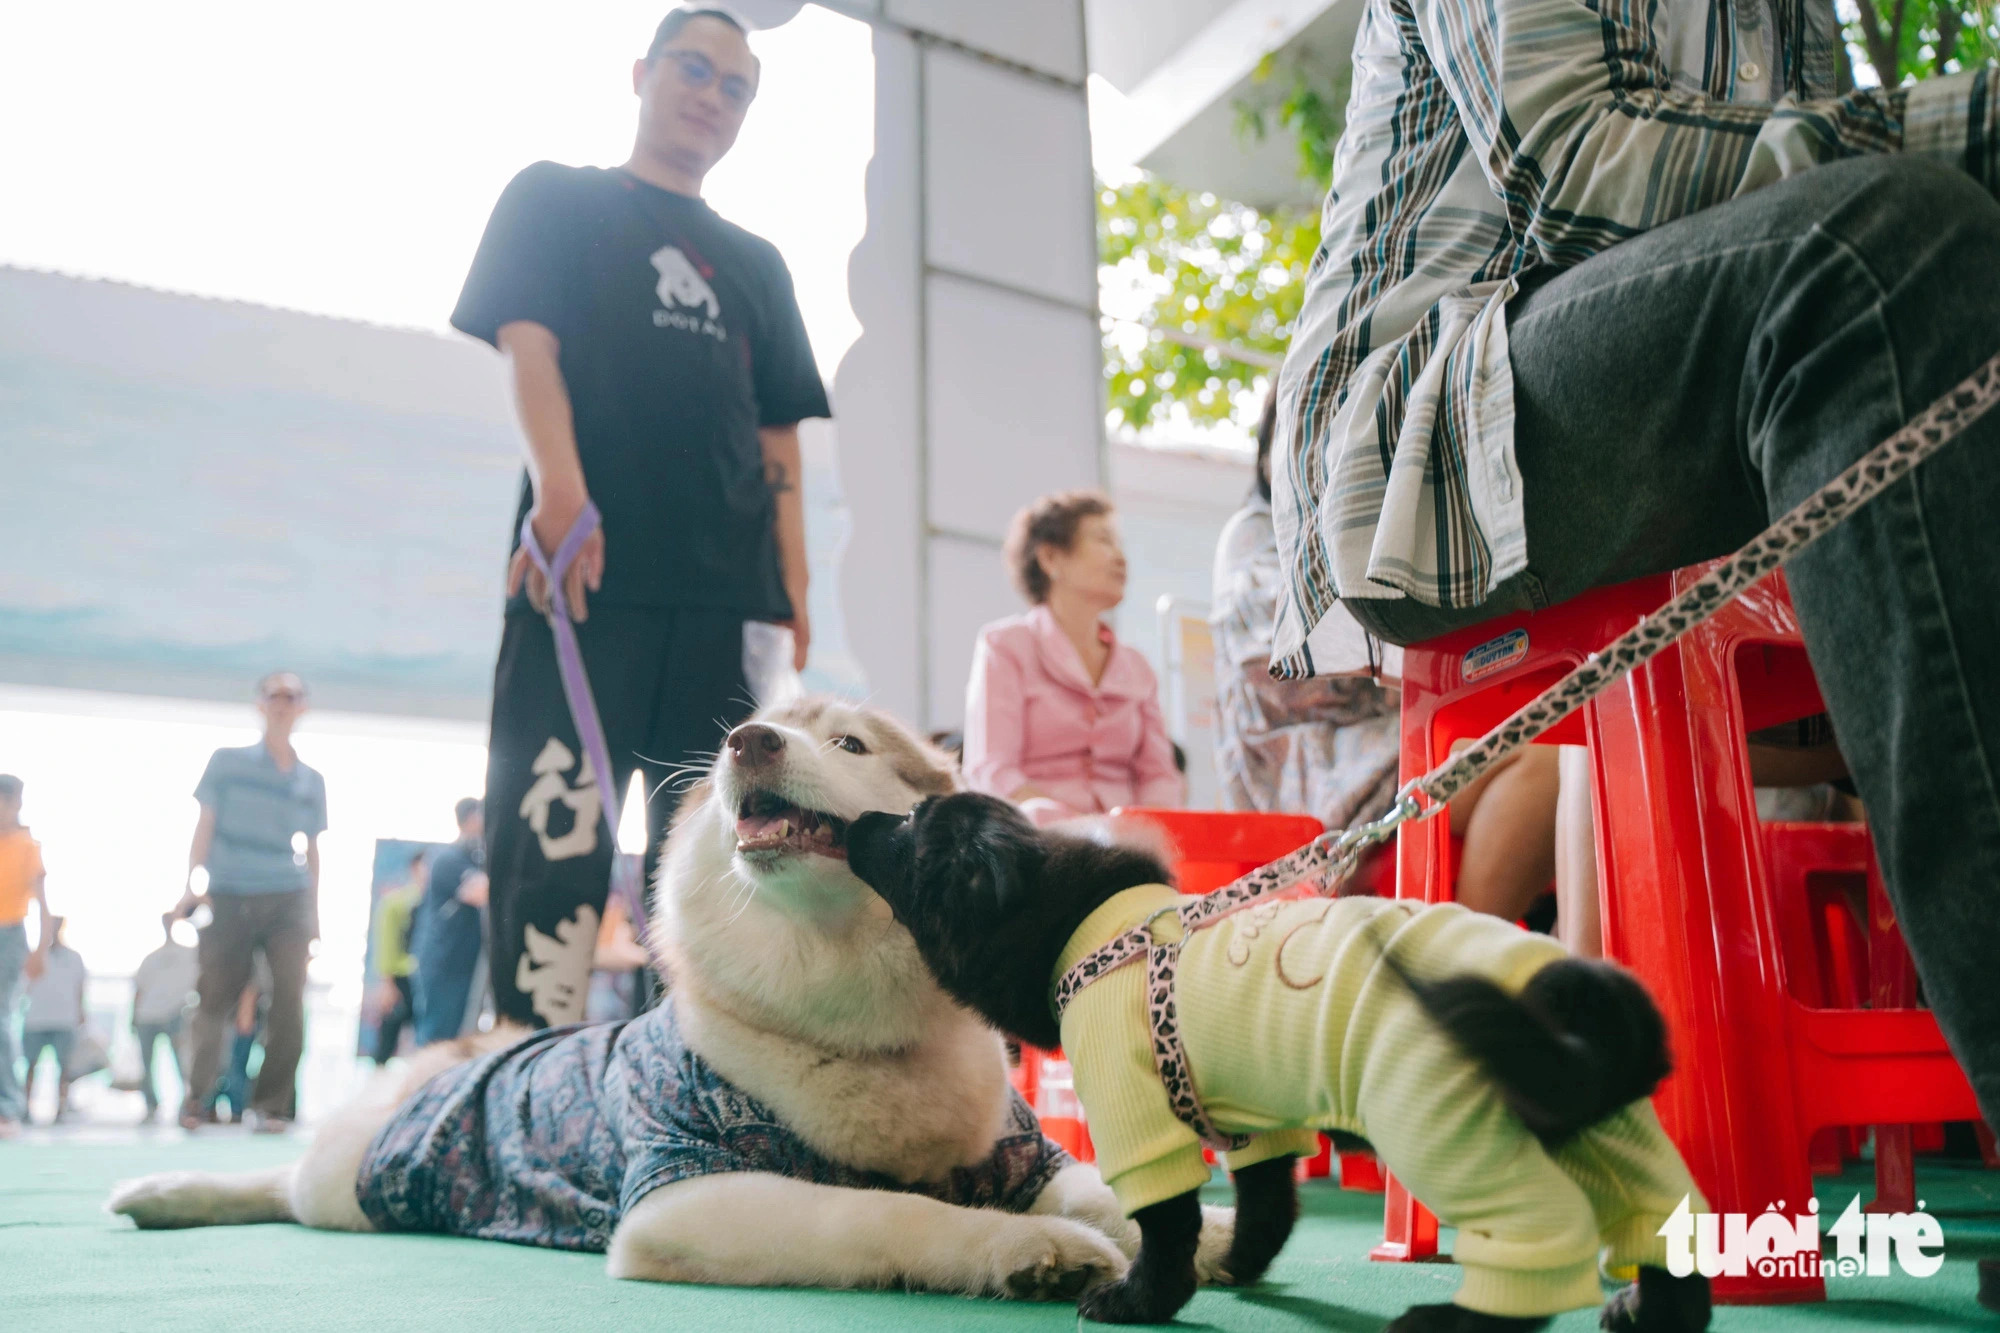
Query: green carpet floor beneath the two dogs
[{"x": 69, "y": 1266}]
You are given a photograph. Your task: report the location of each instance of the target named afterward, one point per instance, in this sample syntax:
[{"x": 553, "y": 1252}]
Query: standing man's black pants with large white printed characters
[{"x": 669, "y": 688}]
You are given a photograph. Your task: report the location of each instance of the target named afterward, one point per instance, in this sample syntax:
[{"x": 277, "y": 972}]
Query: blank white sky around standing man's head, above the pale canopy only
[{"x": 343, "y": 161}]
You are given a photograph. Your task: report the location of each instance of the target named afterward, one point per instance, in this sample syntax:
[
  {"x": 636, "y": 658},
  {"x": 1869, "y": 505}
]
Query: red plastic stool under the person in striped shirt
[{"x": 1687, "y": 900}]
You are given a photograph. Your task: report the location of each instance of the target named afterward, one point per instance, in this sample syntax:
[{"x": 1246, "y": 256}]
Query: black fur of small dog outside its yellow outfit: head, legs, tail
[{"x": 993, "y": 902}]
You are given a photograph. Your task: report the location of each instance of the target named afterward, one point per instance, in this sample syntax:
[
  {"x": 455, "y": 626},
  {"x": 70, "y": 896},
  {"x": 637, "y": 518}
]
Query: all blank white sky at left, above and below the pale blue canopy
[{"x": 343, "y": 163}]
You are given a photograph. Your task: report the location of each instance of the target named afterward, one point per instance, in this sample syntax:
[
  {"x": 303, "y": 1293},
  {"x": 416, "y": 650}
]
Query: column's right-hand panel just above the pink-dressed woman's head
[{"x": 1015, "y": 403}]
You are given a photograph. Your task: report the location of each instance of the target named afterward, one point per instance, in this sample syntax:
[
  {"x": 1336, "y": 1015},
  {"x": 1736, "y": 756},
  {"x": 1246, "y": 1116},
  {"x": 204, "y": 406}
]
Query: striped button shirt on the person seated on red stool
[{"x": 1487, "y": 139}]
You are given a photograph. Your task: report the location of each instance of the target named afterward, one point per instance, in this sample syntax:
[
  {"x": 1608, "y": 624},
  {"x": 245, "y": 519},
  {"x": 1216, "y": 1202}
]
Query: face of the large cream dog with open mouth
[{"x": 791, "y": 782}]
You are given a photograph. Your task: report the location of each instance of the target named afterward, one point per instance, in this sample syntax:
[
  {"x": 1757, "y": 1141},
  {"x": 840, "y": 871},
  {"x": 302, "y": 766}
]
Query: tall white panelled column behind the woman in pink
[{"x": 977, "y": 381}]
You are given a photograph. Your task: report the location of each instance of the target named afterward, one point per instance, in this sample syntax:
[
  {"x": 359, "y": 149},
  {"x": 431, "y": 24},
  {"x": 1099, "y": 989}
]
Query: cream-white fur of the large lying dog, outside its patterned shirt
[{"x": 795, "y": 982}]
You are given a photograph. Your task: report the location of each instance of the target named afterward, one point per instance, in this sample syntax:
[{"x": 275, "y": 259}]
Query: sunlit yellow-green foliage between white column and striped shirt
[{"x": 1221, "y": 277}]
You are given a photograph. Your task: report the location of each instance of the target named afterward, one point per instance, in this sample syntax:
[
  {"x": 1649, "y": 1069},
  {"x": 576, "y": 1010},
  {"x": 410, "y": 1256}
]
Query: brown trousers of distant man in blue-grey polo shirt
[{"x": 245, "y": 924}]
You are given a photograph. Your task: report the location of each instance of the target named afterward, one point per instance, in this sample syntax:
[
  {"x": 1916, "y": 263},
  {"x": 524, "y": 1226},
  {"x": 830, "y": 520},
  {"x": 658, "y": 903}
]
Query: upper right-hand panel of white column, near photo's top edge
[{"x": 1009, "y": 179}]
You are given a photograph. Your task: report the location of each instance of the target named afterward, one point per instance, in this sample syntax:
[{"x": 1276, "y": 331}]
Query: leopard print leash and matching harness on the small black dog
[{"x": 1333, "y": 858}]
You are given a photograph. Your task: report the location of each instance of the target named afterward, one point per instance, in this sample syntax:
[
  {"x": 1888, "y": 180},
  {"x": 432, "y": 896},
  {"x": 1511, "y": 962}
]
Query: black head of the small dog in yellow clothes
[{"x": 991, "y": 900}]
